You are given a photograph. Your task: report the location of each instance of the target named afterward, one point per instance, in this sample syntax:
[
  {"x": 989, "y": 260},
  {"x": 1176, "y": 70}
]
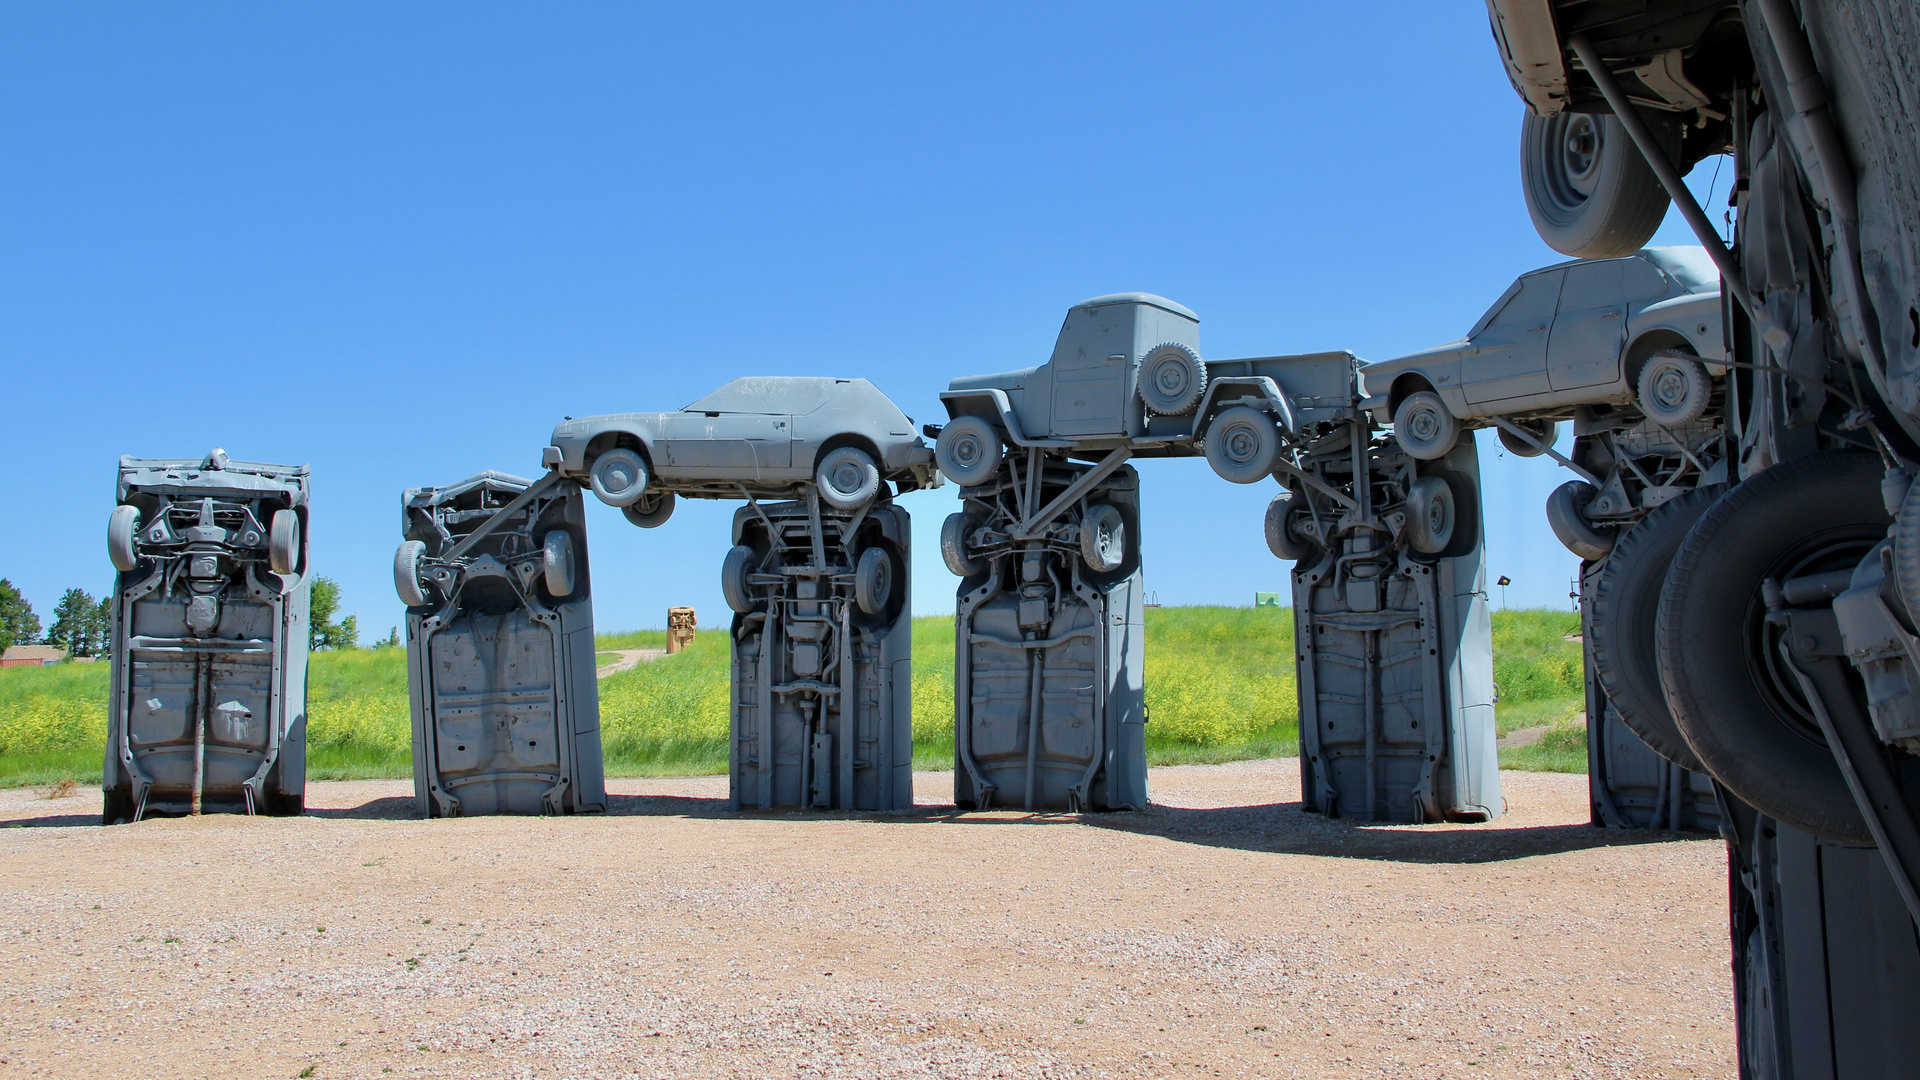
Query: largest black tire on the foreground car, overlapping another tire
[{"x": 1721, "y": 668}]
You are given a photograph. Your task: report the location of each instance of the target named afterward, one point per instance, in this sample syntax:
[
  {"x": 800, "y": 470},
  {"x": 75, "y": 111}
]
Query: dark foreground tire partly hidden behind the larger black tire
[{"x": 1627, "y": 606}]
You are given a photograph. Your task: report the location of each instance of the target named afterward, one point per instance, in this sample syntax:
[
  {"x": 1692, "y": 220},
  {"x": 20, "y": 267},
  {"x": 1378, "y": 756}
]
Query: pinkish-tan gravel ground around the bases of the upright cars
[{"x": 1222, "y": 933}]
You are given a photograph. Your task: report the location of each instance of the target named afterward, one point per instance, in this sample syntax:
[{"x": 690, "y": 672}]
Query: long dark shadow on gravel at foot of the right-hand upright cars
[{"x": 1289, "y": 829}]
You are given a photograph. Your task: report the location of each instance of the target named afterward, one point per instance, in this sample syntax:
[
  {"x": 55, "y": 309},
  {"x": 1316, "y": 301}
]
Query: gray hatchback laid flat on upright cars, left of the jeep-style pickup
[{"x": 765, "y": 437}]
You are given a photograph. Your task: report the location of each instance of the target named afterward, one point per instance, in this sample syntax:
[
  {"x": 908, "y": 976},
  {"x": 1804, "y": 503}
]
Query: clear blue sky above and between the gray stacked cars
[{"x": 400, "y": 241}]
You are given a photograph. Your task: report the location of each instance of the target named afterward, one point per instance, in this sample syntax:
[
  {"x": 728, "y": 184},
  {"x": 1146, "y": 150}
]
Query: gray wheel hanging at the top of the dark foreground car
[{"x": 1589, "y": 189}]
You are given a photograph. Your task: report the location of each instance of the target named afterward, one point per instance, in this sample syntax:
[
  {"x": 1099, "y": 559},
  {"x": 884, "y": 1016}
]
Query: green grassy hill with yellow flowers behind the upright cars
[{"x": 1220, "y": 687}]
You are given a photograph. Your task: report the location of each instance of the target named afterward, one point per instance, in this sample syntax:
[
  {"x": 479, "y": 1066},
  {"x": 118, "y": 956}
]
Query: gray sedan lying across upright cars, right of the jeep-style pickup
[{"x": 1635, "y": 331}]
